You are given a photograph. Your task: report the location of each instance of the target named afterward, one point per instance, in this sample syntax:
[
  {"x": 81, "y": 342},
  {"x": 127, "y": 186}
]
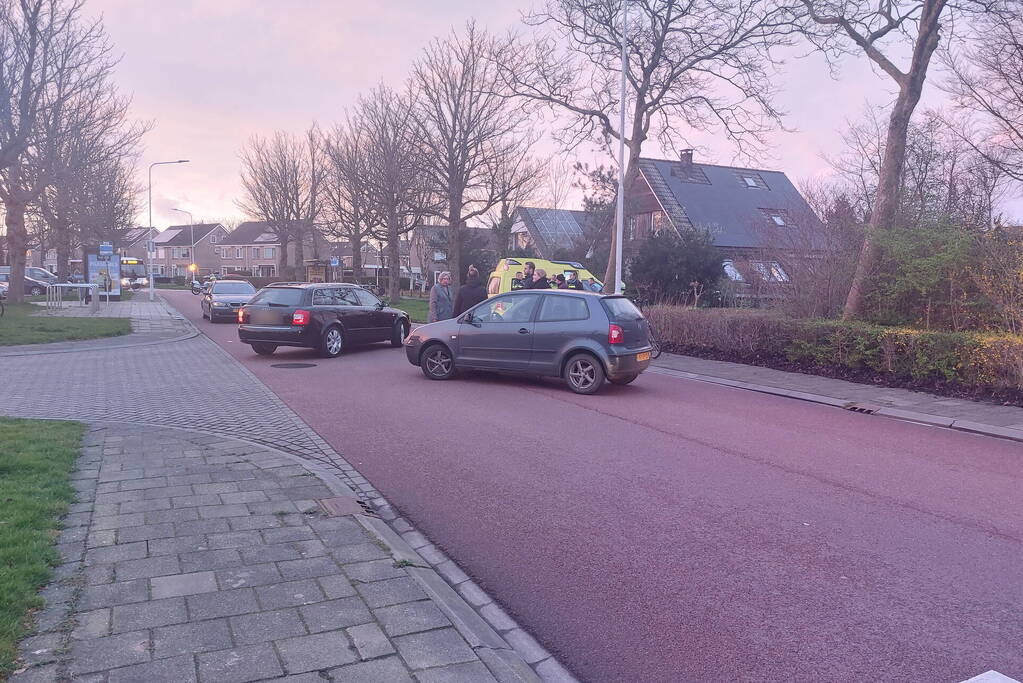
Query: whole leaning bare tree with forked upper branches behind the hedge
[{"x": 882, "y": 30}]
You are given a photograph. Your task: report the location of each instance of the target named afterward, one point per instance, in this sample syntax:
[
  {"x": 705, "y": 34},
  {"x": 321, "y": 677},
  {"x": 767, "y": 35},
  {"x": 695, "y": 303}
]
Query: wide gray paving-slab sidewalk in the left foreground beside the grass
[{"x": 192, "y": 558}]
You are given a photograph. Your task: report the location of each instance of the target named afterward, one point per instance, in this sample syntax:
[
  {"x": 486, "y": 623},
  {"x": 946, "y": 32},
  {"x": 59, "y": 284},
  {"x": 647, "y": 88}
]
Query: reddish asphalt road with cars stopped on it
[{"x": 679, "y": 531}]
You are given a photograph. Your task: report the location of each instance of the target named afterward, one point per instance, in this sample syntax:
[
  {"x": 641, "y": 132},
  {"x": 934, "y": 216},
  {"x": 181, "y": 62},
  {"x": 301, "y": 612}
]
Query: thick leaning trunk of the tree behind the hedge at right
[{"x": 886, "y": 205}]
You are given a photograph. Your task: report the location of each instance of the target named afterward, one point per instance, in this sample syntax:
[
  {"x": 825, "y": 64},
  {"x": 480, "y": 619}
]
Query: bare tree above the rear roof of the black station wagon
[{"x": 282, "y": 178}]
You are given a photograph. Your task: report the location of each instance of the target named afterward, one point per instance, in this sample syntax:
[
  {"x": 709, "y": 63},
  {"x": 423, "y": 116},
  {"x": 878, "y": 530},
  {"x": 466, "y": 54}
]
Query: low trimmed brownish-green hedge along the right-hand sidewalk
[{"x": 971, "y": 360}]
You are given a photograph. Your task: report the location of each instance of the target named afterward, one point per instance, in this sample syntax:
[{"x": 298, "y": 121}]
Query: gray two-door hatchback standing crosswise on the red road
[{"x": 583, "y": 337}]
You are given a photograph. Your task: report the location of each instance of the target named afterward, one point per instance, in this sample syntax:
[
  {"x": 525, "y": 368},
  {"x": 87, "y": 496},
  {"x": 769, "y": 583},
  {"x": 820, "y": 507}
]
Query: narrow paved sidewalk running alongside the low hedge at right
[{"x": 1005, "y": 420}]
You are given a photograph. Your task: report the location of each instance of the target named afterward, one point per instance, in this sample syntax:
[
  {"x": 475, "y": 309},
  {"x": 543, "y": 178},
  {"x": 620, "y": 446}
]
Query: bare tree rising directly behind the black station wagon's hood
[{"x": 397, "y": 172}]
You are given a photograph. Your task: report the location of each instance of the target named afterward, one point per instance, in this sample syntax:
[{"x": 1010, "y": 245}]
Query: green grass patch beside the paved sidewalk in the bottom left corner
[{"x": 37, "y": 459}]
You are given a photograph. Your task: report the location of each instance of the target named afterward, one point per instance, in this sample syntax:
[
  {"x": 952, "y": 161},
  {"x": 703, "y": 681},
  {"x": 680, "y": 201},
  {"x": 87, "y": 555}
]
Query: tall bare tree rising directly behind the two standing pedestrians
[{"x": 470, "y": 128}]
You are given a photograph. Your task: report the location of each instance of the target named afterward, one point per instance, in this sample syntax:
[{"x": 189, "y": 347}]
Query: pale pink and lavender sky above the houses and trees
[{"x": 209, "y": 75}]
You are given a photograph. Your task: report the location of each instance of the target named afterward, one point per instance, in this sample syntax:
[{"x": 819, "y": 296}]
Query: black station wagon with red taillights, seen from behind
[{"x": 327, "y": 317}]
